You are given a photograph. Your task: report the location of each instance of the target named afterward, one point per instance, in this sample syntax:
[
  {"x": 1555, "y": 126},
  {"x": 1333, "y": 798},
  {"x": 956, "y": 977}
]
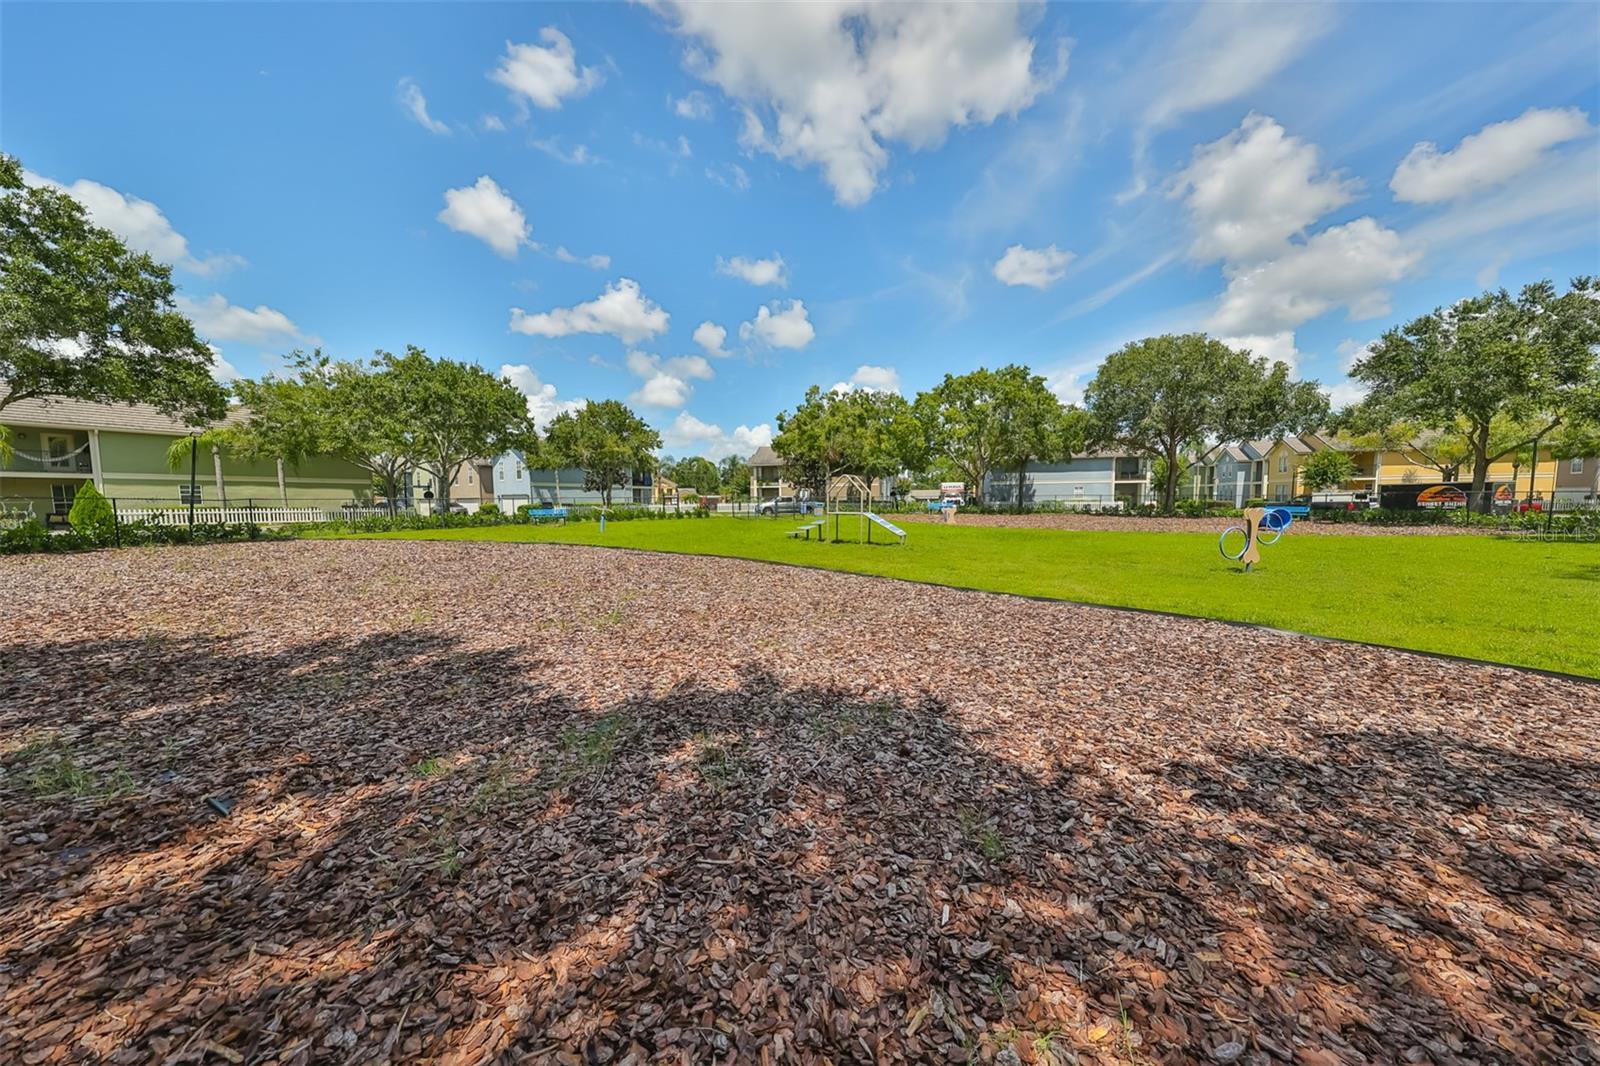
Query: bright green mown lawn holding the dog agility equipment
[{"x": 1526, "y": 604}]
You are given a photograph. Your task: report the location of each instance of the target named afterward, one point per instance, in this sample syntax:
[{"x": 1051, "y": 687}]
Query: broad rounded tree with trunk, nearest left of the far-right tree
[{"x": 1167, "y": 393}]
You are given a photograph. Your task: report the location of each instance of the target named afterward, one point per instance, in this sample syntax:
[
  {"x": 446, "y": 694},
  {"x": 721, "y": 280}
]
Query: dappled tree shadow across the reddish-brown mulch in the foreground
[{"x": 431, "y": 856}]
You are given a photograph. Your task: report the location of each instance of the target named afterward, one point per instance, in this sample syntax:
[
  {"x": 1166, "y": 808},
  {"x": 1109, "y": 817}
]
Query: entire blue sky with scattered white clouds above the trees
[{"x": 857, "y": 196}]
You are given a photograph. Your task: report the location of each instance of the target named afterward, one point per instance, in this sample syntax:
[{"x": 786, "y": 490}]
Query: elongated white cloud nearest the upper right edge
[{"x": 1486, "y": 159}]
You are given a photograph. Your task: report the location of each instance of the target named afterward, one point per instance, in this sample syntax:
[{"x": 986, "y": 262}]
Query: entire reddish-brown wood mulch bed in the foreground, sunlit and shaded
[{"x": 582, "y": 806}]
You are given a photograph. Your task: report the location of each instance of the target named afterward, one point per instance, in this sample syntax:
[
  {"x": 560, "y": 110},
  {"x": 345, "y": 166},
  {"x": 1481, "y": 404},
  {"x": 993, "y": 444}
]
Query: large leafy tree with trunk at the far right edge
[{"x": 1487, "y": 364}]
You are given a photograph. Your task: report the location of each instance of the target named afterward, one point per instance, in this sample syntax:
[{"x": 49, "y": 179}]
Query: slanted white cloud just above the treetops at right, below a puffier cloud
[{"x": 1342, "y": 266}]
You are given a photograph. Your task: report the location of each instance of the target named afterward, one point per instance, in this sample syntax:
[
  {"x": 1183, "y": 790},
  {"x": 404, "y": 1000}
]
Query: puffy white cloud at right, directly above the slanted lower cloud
[{"x": 1255, "y": 190}]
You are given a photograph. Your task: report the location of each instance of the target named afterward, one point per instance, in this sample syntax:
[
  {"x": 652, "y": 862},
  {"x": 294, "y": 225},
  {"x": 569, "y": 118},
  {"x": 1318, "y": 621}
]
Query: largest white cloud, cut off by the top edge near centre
[{"x": 831, "y": 86}]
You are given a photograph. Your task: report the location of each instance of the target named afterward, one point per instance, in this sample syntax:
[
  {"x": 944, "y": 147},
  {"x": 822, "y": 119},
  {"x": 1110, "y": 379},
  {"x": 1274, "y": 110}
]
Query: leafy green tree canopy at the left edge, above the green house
[{"x": 84, "y": 318}]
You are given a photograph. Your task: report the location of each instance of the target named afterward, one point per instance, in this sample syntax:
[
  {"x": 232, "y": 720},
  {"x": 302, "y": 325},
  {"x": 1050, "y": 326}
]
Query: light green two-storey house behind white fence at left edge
[{"x": 58, "y": 446}]
